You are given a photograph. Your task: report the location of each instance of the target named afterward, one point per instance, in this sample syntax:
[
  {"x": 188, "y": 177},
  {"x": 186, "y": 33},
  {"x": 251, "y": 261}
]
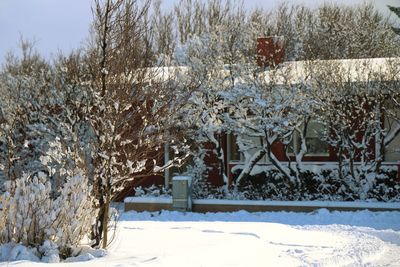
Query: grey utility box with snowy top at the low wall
[{"x": 181, "y": 193}]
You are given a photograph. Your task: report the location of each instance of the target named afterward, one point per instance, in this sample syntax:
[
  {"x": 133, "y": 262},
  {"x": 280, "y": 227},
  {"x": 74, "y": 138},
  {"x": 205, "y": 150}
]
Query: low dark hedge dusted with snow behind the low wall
[{"x": 322, "y": 185}]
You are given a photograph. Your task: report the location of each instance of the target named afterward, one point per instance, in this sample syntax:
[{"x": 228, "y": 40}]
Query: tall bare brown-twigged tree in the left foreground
[{"x": 132, "y": 102}]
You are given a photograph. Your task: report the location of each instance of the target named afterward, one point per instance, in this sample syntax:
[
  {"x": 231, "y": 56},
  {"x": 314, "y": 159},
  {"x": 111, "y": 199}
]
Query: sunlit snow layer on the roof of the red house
[{"x": 293, "y": 72}]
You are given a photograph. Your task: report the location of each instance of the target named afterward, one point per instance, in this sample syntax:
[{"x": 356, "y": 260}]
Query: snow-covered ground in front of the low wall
[{"x": 246, "y": 239}]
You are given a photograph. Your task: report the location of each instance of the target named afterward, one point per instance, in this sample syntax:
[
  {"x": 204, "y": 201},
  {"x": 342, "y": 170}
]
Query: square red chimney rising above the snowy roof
[{"x": 270, "y": 51}]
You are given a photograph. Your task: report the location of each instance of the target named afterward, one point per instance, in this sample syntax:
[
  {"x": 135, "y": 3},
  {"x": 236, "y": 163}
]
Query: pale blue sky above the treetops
[{"x": 63, "y": 25}]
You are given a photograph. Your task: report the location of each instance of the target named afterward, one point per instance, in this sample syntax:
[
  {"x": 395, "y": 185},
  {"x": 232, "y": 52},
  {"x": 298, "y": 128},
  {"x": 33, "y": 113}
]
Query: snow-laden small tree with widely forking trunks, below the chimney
[{"x": 269, "y": 108}]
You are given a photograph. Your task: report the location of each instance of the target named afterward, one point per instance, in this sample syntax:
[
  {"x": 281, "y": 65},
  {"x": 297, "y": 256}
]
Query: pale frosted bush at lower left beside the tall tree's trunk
[{"x": 30, "y": 216}]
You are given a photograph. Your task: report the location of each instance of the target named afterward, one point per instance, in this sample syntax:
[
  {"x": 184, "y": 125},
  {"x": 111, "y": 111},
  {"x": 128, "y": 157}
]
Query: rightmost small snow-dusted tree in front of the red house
[{"x": 350, "y": 97}]
